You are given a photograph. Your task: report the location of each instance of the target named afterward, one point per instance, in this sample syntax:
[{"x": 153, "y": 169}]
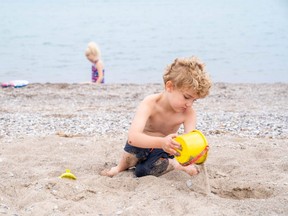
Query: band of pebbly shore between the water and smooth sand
[{"x": 83, "y": 110}]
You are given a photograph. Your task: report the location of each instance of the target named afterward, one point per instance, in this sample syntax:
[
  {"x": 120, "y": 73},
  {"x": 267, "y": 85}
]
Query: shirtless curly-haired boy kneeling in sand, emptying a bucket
[{"x": 150, "y": 147}]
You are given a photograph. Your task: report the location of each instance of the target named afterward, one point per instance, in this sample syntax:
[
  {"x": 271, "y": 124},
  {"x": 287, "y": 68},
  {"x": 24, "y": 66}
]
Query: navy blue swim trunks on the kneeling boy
[{"x": 151, "y": 161}]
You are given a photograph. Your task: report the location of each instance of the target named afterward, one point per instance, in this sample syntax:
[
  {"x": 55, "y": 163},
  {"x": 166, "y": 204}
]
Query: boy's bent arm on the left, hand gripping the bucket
[{"x": 138, "y": 138}]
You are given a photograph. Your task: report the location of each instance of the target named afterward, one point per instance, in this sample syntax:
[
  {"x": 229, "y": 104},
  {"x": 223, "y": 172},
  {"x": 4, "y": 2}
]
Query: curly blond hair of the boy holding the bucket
[{"x": 188, "y": 73}]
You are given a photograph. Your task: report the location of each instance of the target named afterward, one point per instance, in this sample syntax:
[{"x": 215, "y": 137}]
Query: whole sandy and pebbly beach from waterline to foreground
[{"x": 47, "y": 128}]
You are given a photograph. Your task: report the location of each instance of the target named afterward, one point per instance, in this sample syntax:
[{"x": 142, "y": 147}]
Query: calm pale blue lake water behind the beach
[{"x": 240, "y": 40}]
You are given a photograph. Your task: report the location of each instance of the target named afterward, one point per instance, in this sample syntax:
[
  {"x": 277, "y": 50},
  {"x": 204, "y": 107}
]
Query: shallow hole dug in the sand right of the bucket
[{"x": 242, "y": 192}]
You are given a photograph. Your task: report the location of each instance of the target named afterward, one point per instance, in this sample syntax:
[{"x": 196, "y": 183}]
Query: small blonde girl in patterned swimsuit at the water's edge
[{"x": 93, "y": 54}]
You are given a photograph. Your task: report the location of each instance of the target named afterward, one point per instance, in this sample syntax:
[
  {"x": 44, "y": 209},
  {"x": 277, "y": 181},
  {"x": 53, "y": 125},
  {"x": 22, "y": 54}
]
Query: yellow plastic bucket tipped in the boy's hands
[{"x": 194, "y": 148}]
